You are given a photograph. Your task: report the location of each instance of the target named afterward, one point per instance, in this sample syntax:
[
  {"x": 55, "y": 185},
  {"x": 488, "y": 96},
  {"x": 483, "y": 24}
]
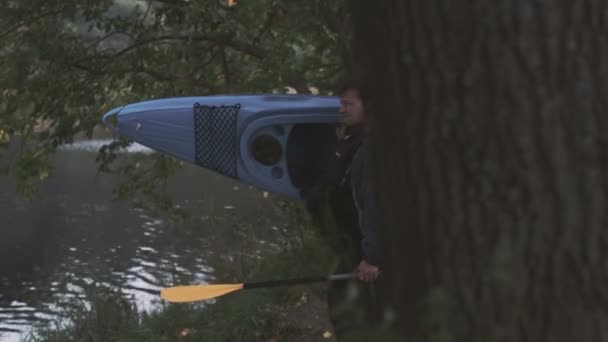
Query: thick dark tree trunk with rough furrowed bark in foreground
[{"x": 489, "y": 141}]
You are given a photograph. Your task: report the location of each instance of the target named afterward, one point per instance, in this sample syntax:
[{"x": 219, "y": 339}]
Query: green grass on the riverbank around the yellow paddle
[{"x": 254, "y": 315}]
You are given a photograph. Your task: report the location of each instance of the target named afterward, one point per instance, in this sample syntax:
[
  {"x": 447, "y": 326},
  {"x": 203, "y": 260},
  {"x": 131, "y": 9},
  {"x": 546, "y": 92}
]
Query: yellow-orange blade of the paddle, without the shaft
[{"x": 193, "y": 293}]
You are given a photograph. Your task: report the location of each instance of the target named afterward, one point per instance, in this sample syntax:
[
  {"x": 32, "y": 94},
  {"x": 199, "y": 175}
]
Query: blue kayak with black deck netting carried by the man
[{"x": 277, "y": 143}]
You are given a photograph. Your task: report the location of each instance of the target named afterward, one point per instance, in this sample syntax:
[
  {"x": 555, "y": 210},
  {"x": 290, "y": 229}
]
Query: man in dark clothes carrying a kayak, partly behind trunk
[{"x": 352, "y": 304}]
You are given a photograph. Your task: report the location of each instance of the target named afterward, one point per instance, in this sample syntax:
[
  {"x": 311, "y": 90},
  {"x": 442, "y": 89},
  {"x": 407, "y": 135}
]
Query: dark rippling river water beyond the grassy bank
[{"x": 75, "y": 235}]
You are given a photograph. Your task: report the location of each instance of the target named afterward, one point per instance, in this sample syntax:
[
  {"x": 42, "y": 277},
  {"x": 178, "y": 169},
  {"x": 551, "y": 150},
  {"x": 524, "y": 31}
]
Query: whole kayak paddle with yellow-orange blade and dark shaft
[{"x": 193, "y": 293}]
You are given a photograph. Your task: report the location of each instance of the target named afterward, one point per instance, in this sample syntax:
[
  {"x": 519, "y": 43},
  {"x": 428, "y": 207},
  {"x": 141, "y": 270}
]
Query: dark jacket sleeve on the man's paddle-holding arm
[{"x": 363, "y": 197}]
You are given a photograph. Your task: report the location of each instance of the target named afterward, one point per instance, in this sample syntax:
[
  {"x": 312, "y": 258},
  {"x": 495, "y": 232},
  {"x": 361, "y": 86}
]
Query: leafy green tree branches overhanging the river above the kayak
[{"x": 65, "y": 63}]
